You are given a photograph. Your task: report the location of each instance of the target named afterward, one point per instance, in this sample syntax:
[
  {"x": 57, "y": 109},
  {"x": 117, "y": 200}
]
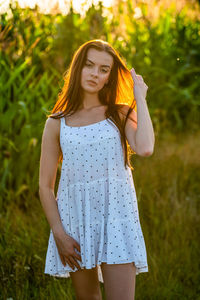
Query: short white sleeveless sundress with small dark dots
[{"x": 96, "y": 200}]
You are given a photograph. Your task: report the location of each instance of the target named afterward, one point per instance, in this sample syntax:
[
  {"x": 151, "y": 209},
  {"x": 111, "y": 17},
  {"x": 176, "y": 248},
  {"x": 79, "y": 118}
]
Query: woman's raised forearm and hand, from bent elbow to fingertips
[{"x": 144, "y": 135}]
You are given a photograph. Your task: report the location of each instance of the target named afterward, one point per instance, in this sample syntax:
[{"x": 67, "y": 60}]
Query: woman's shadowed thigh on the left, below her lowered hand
[{"x": 86, "y": 284}]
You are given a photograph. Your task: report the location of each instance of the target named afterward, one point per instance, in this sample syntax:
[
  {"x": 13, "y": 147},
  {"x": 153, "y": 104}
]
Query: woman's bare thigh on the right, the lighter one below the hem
[{"x": 119, "y": 281}]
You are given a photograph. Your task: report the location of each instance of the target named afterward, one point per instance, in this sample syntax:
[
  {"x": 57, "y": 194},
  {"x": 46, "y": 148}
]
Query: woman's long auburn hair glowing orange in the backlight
[{"x": 116, "y": 93}]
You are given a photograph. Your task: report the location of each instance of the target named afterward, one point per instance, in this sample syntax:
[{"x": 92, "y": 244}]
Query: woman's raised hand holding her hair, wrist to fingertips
[{"x": 140, "y": 87}]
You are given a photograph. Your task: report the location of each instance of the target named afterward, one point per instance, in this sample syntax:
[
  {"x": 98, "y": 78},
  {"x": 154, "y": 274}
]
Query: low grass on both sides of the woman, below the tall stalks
[{"x": 167, "y": 187}]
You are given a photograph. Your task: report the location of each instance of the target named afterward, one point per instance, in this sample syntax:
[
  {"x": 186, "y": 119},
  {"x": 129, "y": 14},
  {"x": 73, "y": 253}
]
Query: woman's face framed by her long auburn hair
[{"x": 97, "y": 68}]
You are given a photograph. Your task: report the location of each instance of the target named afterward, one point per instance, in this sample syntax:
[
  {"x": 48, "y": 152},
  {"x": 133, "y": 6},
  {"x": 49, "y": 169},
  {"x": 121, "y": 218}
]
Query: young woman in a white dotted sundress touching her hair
[{"x": 95, "y": 230}]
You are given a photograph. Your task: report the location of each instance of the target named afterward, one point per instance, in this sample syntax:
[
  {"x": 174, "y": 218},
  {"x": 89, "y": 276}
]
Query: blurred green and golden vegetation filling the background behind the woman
[{"x": 36, "y": 49}]
